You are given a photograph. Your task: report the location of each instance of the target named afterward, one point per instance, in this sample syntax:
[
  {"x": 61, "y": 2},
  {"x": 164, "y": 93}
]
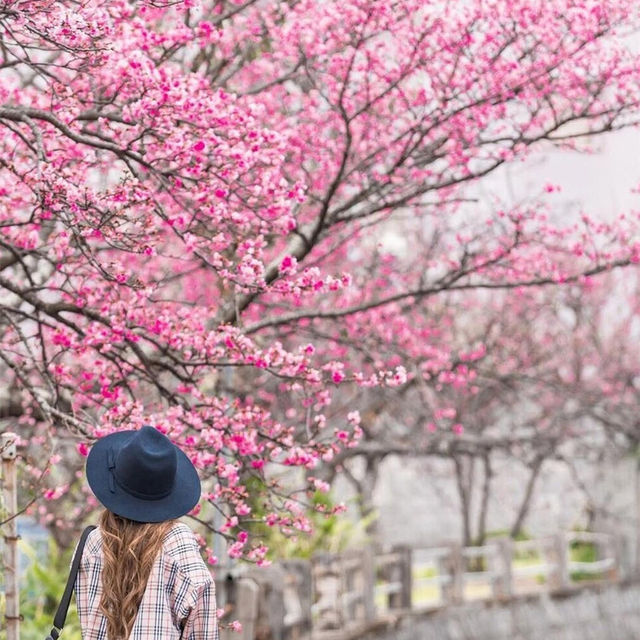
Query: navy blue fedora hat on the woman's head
[{"x": 142, "y": 476}]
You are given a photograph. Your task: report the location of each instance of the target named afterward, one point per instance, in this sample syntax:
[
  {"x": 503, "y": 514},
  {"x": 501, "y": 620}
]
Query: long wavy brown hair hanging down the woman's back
[{"x": 129, "y": 550}]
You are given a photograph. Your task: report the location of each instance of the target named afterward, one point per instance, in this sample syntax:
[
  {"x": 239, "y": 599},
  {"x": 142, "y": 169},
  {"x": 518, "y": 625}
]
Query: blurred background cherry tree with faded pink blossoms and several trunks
[{"x": 555, "y": 381}]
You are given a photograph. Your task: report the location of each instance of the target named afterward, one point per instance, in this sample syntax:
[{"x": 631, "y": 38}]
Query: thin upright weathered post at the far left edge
[{"x": 11, "y": 569}]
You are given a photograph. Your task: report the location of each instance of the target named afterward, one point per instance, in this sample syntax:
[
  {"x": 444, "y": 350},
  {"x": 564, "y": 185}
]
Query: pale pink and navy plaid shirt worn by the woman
[{"x": 178, "y": 602}]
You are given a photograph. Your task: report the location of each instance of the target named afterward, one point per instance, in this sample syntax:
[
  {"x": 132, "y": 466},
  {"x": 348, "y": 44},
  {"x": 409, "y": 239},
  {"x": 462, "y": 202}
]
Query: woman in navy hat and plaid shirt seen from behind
[{"x": 142, "y": 576}]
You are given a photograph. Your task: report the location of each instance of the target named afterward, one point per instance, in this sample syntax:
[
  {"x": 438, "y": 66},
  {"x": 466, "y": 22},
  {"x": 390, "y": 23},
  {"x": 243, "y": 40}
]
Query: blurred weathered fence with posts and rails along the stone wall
[{"x": 347, "y": 595}]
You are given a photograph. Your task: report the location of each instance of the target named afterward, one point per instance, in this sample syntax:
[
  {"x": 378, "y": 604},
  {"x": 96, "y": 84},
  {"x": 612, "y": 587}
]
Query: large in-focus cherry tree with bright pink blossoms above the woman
[{"x": 193, "y": 198}]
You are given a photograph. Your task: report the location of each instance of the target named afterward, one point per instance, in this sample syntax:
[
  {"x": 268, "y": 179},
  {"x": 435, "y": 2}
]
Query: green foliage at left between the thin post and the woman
[{"x": 41, "y": 589}]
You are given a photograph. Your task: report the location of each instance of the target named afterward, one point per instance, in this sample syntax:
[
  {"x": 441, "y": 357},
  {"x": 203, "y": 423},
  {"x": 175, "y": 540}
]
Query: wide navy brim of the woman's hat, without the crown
[{"x": 184, "y": 496}]
